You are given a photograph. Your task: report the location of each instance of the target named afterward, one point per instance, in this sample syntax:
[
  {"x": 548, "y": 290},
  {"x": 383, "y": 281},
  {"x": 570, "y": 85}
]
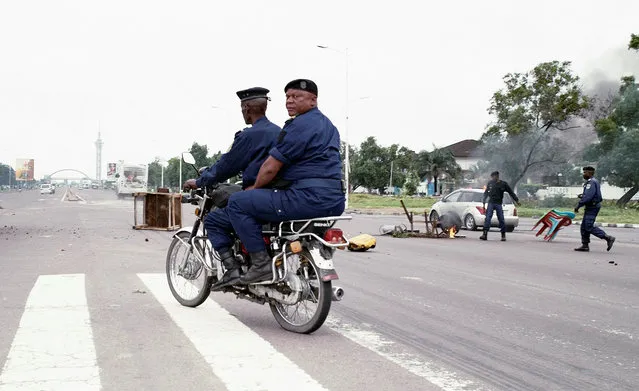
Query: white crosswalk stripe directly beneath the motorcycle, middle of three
[{"x": 237, "y": 355}]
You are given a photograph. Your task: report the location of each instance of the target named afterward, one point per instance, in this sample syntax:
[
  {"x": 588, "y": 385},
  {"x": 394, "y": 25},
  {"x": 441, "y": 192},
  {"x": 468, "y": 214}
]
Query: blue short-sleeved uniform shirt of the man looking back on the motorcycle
[{"x": 309, "y": 147}]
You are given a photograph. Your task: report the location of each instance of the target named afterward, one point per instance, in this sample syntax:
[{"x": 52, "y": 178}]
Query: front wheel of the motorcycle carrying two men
[{"x": 189, "y": 281}]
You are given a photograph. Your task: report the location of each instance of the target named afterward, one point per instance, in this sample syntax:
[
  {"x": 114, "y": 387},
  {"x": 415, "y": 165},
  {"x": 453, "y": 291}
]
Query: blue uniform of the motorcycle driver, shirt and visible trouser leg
[{"x": 249, "y": 150}]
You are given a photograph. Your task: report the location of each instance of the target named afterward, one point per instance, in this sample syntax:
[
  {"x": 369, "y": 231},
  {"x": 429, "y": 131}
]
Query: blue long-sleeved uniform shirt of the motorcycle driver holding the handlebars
[{"x": 249, "y": 150}]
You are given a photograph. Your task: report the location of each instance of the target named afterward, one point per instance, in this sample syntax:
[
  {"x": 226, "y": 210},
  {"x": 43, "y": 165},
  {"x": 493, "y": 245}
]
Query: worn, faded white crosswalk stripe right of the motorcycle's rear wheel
[{"x": 417, "y": 365}]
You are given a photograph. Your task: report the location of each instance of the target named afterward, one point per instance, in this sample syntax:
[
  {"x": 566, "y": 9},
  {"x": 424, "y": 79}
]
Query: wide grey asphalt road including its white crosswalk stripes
[{"x": 84, "y": 305}]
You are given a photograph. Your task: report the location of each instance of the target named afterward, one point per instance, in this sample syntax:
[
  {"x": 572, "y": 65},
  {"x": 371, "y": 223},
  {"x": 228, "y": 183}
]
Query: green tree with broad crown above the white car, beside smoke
[{"x": 528, "y": 111}]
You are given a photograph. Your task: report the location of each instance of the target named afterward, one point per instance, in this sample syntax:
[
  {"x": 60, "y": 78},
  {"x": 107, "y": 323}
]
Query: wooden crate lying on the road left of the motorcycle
[{"x": 159, "y": 211}]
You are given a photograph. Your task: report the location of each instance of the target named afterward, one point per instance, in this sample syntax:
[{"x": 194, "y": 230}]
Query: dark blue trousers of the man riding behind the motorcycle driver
[{"x": 249, "y": 210}]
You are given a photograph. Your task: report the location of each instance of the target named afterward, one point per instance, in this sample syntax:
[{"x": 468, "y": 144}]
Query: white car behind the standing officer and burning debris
[{"x": 468, "y": 206}]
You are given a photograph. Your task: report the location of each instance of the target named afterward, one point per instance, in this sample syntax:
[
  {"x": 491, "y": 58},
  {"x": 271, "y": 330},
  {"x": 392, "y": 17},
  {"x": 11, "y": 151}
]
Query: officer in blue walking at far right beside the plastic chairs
[{"x": 591, "y": 199}]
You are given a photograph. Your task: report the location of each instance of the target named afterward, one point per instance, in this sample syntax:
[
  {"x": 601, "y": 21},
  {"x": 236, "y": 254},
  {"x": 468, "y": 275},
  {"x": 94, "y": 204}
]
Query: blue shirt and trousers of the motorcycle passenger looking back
[{"x": 309, "y": 148}]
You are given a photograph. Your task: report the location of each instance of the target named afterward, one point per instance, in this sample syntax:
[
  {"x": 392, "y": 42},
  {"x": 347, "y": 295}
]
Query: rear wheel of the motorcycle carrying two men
[{"x": 308, "y": 314}]
